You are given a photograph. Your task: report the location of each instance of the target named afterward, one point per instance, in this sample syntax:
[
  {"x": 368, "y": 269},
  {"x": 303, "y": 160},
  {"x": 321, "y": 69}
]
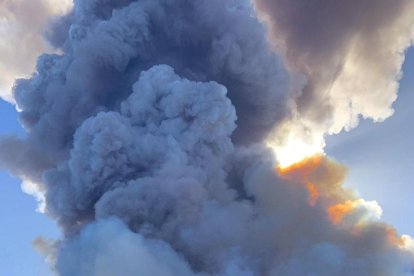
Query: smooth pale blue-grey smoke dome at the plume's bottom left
[{"x": 109, "y": 248}]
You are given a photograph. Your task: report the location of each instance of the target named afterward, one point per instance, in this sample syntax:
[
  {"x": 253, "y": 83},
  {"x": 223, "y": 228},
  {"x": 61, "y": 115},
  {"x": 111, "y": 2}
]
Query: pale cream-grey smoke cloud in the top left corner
[{"x": 23, "y": 24}]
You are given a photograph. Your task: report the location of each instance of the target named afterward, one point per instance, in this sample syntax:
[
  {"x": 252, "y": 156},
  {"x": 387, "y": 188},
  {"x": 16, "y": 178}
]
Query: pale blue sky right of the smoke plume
[{"x": 380, "y": 157}]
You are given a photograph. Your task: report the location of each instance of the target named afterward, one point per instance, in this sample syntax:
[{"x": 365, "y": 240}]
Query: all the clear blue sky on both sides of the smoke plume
[{"x": 379, "y": 156}]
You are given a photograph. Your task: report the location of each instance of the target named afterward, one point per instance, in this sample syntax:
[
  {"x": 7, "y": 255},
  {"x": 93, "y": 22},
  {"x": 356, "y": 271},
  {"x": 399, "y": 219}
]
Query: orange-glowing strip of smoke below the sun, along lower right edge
[{"x": 323, "y": 178}]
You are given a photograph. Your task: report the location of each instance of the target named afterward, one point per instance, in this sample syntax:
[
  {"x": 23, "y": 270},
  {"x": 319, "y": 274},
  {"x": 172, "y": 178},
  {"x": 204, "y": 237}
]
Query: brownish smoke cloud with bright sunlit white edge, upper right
[{"x": 350, "y": 52}]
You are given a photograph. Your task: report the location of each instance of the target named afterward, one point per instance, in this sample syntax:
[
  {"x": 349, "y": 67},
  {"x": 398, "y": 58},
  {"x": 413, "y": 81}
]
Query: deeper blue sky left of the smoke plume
[{"x": 21, "y": 224}]
